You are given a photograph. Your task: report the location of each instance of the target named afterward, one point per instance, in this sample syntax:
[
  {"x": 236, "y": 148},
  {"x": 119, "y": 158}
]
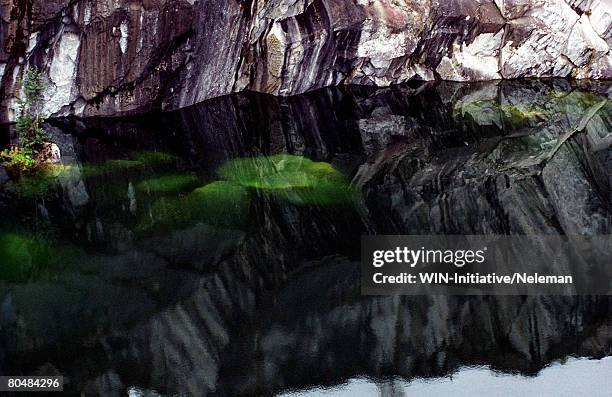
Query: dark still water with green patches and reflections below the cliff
[{"x": 214, "y": 251}]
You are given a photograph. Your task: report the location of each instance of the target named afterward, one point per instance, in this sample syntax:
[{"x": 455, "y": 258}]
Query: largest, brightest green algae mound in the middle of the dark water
[{"x": 296, "y": 179}]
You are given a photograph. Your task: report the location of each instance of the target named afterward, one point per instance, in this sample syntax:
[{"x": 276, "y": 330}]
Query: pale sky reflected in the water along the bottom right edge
[{"x": 577, "y": 377}]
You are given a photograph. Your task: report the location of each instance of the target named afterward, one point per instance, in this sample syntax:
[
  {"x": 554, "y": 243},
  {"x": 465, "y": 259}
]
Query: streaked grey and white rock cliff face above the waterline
[{"x": 112, "y": 57}]
